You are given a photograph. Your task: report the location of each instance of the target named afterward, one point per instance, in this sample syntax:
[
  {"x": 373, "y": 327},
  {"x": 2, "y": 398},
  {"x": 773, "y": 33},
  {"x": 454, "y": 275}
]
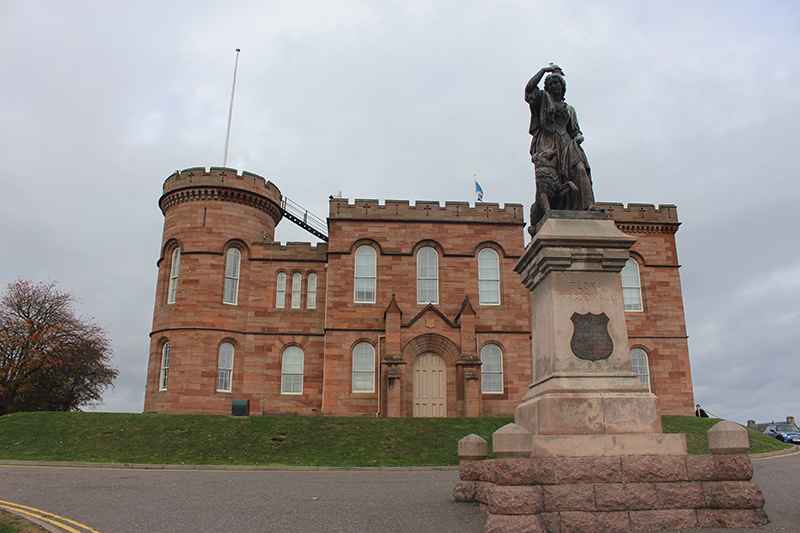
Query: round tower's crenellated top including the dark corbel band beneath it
[{"x": 221, "y": 184}]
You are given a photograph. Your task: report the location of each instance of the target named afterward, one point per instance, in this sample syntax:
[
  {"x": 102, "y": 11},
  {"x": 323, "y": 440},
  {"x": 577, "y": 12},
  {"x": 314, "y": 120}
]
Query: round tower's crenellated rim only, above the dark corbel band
[{"x": 222, "y": 177}]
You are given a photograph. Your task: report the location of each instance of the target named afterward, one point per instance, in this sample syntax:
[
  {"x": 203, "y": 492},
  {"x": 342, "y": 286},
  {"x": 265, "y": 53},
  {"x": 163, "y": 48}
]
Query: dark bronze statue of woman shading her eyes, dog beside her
[{"x": 563, "y": 176}]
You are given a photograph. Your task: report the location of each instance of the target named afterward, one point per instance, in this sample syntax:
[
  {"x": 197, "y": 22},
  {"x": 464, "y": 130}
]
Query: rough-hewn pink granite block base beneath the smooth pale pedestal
[{"x": 609, "y": 494}]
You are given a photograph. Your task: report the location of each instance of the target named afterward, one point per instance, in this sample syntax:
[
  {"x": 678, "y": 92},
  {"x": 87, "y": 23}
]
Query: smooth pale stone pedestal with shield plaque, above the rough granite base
[{"x": 583, "y": 382}]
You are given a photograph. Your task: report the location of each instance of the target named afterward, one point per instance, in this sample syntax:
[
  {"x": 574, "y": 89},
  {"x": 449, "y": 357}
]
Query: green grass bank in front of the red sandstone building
[{"x": 270, "y": 440}]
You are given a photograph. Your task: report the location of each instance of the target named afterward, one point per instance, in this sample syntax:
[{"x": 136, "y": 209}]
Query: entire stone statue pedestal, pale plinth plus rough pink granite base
[{"x": 586, "y": 453}]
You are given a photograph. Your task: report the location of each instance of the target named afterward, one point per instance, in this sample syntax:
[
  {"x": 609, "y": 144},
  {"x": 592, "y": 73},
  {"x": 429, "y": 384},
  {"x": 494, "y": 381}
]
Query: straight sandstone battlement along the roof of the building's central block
[{"x": 426, "y": 211}]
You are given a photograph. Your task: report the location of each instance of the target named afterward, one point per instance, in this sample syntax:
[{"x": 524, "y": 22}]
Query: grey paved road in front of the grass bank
[{"x": 172, "y": 501}]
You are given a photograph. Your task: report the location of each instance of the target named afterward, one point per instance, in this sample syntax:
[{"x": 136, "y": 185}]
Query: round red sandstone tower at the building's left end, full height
[{"x": 211, "y": 219}]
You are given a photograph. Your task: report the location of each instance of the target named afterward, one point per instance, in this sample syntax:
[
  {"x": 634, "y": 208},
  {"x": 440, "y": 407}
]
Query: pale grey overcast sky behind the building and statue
[{"x": 681, "y": 102}]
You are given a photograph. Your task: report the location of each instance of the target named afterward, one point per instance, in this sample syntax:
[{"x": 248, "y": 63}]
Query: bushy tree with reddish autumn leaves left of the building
[{"x": 51, "y": 359}]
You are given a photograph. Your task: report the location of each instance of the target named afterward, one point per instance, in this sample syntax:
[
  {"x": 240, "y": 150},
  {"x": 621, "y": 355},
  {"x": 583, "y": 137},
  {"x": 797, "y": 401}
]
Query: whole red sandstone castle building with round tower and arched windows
[{"x": 405, "y": 311}]
